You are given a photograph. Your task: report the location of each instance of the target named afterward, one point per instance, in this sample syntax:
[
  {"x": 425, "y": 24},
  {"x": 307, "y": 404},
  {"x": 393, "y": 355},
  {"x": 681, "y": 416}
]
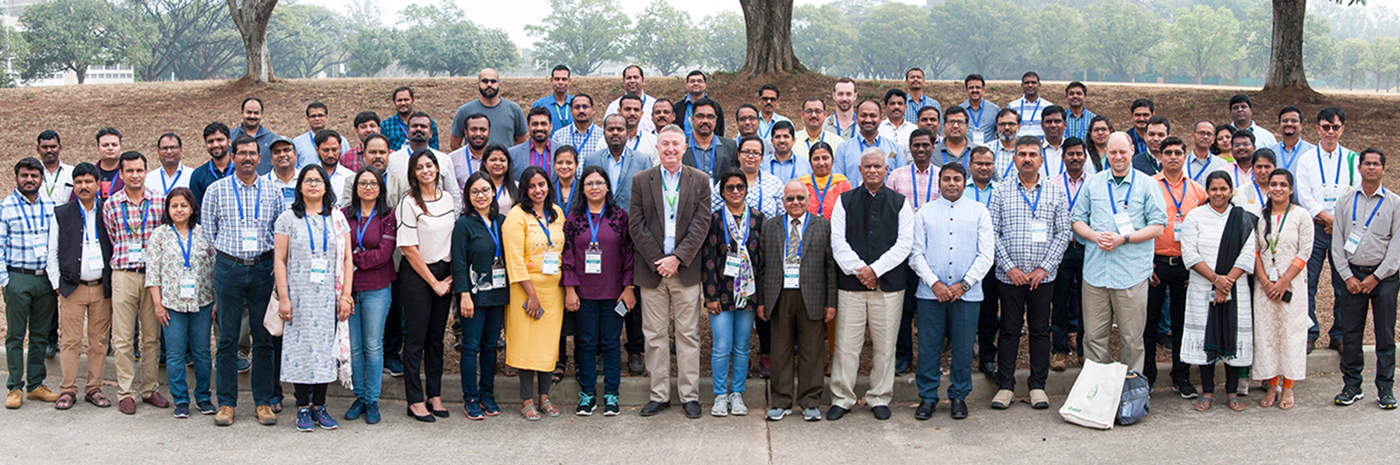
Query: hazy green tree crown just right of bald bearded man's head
[{"x": 580, "y": 34}]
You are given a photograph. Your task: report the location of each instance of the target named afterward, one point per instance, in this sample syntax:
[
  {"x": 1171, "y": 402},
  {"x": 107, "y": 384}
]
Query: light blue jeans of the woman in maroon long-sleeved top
[{"x": 372, "y": 309}]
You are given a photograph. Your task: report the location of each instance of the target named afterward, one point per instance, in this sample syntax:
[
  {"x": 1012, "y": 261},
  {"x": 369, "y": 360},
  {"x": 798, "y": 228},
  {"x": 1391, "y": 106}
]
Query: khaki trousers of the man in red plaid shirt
[{"x": 132, "y": 303}]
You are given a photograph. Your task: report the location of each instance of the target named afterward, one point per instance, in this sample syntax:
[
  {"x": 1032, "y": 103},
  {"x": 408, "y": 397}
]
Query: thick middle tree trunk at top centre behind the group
[{"x": 769, "y": 27}]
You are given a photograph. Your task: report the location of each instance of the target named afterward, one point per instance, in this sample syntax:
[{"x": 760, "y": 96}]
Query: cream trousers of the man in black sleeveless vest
[{"x": 859, "y": 313}]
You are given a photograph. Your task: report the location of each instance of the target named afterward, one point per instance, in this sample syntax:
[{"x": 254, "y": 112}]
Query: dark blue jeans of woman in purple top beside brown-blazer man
[{"x": 600, "y": 331}]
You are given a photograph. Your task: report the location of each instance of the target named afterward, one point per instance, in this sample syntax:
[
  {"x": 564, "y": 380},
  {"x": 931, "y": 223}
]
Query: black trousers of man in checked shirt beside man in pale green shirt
[{"x": 1021, "y": 306}]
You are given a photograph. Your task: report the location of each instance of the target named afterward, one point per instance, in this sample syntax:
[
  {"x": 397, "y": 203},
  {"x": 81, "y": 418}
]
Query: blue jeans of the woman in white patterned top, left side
[{"x": 188, "y": 331}]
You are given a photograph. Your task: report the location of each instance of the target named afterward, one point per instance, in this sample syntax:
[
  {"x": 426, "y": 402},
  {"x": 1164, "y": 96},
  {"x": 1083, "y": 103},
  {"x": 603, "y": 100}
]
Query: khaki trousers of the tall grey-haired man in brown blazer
[{"x": 673, "y": 305}]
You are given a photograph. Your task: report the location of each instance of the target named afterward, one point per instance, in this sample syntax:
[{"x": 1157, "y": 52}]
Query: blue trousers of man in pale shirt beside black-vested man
[{"x": 958, "y": 323}]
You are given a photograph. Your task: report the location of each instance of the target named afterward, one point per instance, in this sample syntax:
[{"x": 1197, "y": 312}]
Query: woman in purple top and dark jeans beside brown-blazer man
[{"x": 597, "y": 265}]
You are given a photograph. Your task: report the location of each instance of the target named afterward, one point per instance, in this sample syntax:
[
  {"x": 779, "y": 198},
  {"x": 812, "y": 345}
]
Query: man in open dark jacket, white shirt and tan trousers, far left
[{"x": 82, "y": 277}]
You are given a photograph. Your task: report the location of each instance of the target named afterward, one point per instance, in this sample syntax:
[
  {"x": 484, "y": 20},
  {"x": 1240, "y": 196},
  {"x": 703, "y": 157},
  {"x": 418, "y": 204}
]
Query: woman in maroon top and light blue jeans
[{"x": 372, "y": 247}]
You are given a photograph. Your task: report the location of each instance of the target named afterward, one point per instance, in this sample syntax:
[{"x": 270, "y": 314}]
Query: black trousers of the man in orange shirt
[{"x": 1172, "y": 275}]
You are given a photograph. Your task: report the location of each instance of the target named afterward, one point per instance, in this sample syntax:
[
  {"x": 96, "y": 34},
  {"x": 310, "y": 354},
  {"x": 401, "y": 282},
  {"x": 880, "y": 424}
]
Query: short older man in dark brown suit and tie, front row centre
[{"x": 799, "y": 299}]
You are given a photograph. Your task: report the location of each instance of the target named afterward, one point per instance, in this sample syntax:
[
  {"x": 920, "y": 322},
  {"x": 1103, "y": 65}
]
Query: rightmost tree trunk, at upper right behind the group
[{"x": 1286, "y": 55}]
